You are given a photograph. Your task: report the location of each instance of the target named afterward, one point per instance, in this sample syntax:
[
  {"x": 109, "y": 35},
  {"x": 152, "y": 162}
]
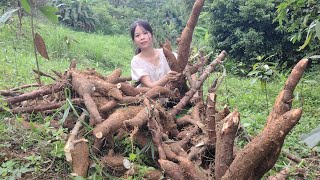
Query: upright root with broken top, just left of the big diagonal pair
[{"x": 226, "y": 133}]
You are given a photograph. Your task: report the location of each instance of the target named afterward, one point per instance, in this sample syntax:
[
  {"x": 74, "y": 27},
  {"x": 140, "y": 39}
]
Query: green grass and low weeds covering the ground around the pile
[{"x": 38, "y": 153}]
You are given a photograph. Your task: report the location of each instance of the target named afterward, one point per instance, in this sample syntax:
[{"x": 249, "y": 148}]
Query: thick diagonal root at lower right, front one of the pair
[{"x": 254, "y": 153}]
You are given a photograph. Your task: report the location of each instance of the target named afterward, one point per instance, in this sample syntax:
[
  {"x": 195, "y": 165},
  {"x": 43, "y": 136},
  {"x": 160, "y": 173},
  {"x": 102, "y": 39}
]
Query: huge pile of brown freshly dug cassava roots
[{"x": 197, "y": 145}]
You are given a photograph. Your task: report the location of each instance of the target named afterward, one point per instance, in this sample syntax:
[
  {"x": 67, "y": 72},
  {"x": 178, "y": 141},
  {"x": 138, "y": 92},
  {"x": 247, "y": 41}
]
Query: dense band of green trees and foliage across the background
[{"x": 251, "y": 31}]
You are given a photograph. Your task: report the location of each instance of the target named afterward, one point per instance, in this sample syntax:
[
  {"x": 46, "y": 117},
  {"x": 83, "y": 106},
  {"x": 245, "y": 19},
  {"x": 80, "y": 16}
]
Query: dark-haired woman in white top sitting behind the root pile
[{"x": 149, "y": 66}]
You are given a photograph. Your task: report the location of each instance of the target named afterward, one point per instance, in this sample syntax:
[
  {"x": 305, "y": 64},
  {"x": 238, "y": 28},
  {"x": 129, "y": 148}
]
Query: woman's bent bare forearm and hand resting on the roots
[{"x": 170, "y": 76}]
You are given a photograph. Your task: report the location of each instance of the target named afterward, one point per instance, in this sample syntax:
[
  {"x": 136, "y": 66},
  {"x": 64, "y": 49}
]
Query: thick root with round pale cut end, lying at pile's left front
[{"x": 115, "y": 121}]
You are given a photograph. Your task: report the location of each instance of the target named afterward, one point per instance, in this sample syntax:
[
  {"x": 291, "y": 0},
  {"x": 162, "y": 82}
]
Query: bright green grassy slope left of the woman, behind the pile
[{"x": 105, "y": 53}]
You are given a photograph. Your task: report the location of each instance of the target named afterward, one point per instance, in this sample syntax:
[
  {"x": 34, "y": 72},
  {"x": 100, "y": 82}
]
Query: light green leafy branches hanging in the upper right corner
[{"x": 301, "y": 19}]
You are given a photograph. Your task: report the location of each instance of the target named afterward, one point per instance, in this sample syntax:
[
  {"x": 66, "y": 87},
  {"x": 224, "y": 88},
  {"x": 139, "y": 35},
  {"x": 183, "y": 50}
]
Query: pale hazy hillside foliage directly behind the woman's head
[{"x": 167, "y": 19}]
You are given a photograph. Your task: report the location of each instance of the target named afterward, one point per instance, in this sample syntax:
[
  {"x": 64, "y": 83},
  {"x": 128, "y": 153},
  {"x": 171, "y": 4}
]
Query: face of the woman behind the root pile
[{"x": 142, "y": 38}]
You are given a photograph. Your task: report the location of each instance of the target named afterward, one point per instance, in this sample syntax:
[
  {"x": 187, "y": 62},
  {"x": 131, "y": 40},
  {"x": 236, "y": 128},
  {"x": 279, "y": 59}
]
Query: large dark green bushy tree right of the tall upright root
[{"x": 245, "y": 29}]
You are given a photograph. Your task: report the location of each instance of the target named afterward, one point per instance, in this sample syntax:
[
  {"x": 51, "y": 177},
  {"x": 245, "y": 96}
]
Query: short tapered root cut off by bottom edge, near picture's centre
[{"x": 171, "y": 169}]
